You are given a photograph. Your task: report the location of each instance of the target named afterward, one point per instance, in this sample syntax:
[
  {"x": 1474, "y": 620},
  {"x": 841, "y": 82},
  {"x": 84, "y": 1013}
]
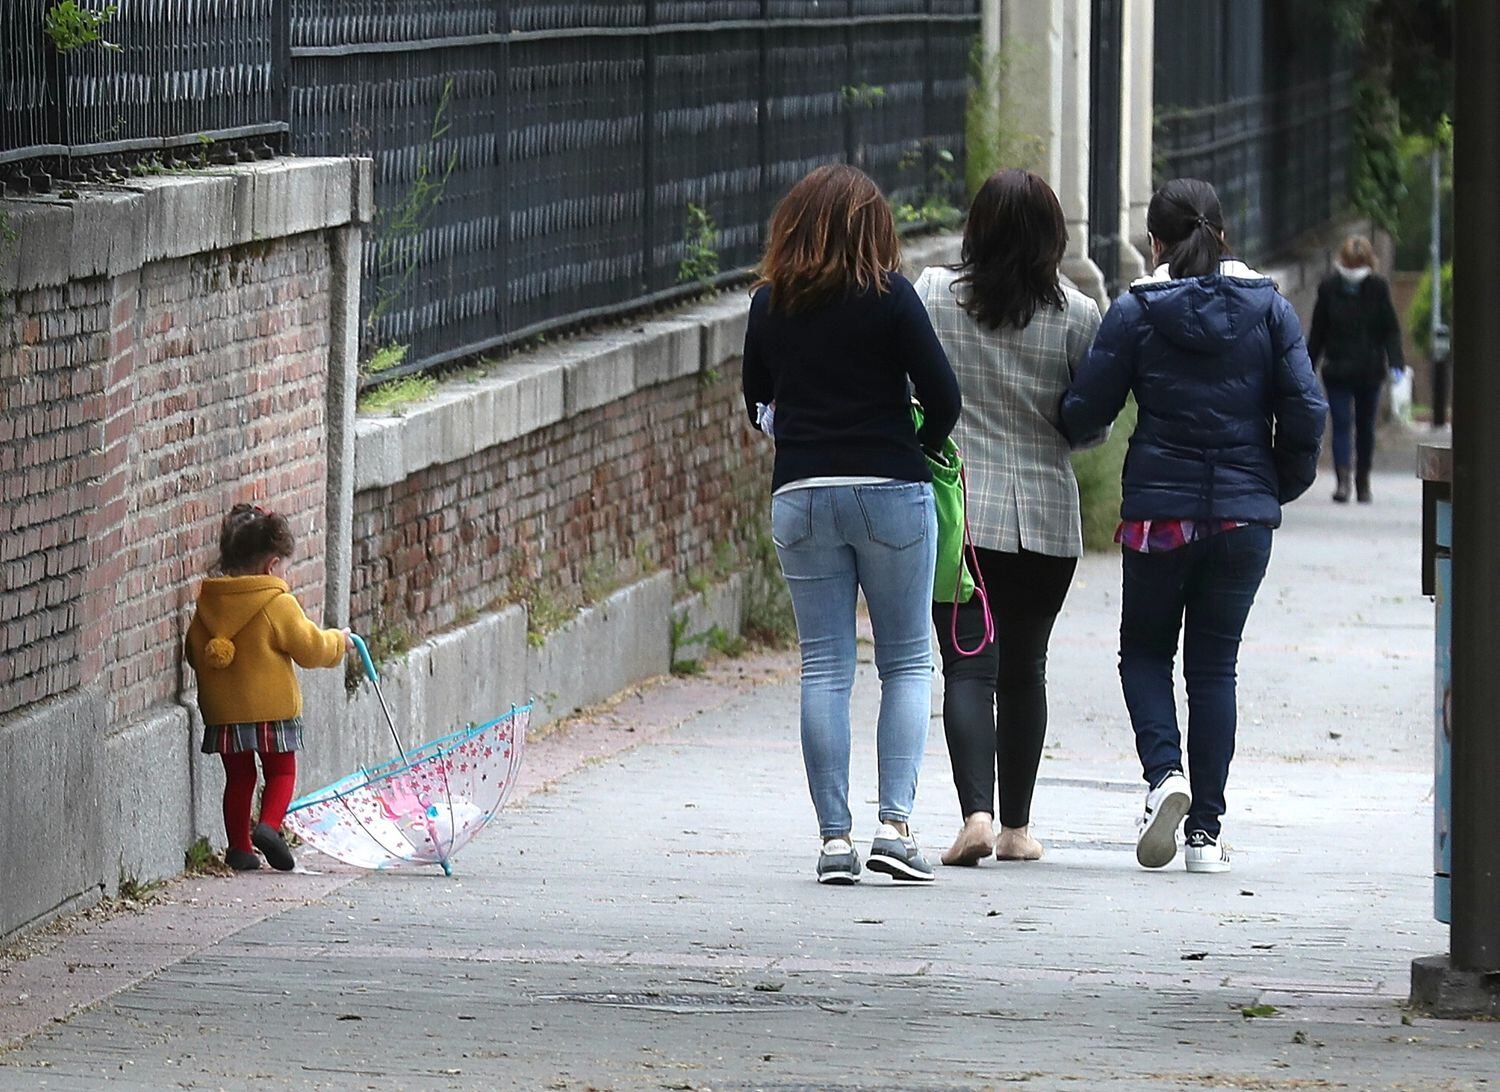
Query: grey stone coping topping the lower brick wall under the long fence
[{"x": 539, "y": 389}]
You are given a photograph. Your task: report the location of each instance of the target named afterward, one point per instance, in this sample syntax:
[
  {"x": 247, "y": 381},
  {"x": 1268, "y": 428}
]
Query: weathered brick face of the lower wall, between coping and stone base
[{"x": 664, "y": 478}]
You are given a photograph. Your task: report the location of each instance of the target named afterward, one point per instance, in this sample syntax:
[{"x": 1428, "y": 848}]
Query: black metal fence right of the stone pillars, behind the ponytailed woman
[{"x": 1255, "y": 97}]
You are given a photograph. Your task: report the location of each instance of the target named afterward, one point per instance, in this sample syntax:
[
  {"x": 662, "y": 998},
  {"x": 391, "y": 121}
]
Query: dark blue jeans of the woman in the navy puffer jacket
[{"x": 1202, "y": 590}]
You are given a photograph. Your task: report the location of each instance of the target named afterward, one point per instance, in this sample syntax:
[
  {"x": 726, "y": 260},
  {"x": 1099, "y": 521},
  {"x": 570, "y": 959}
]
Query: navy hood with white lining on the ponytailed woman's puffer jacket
[{"x": 1211, "y": 313}]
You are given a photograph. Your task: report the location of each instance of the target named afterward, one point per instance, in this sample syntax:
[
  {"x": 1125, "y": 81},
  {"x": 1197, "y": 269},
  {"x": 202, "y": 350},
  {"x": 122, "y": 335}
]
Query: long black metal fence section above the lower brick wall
[{"x": 539, "y": 163}]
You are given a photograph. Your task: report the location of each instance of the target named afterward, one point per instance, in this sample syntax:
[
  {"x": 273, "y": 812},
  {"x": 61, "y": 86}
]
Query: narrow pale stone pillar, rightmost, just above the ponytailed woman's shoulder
[{"x": 1138, "y": 130}]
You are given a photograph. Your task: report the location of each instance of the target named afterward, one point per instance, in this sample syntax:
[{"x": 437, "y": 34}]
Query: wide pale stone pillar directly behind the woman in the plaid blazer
[{"x": 1048, "y": 95}]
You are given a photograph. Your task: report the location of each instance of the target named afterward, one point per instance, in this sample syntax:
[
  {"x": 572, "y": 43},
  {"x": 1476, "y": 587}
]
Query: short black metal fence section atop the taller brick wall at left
[{"x": 163, "y": 79}]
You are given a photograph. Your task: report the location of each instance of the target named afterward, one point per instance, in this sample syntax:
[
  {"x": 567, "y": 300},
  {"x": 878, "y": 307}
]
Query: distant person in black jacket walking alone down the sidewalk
[{"x": 1357, "y": 335}]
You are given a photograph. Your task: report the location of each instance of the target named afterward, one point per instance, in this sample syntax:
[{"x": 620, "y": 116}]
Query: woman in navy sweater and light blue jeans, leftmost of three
[{"x": 836, "y": 343}]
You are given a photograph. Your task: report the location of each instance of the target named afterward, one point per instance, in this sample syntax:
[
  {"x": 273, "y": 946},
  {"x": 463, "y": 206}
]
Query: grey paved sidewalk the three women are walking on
[{"x": 652, "y": 923}]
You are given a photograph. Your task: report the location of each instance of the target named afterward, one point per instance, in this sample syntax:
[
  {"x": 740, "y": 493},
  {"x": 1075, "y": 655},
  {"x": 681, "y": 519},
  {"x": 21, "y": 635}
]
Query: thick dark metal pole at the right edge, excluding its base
[{"x": 1475, "y": 941}]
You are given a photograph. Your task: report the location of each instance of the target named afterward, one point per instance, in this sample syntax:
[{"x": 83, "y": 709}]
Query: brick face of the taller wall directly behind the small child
[{"x": 136, "y": 410}]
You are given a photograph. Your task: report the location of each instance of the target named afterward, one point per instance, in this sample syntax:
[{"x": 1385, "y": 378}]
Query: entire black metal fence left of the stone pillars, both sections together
[{"x": 538, "y": 161}]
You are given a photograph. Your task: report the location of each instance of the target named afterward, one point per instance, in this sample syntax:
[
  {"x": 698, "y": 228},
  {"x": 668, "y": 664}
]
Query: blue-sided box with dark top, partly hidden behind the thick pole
[{"x": 1436, "y": 470}]
